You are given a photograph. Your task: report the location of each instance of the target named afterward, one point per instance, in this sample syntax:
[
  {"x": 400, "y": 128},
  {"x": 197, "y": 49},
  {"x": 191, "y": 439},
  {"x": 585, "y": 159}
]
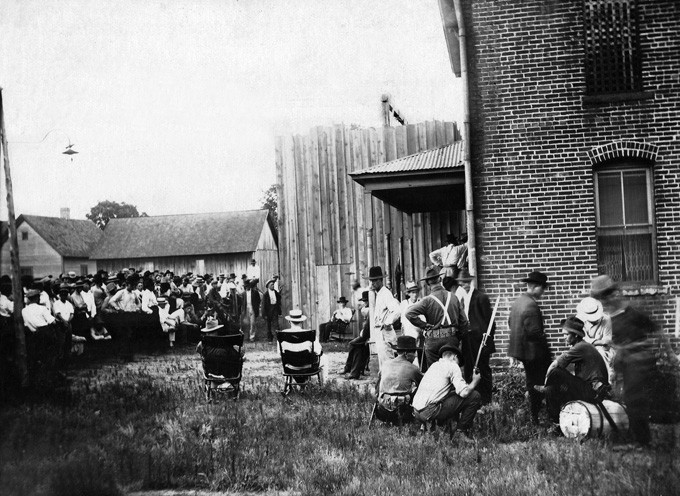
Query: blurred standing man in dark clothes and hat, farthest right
[{"x": 634, "y": 362}]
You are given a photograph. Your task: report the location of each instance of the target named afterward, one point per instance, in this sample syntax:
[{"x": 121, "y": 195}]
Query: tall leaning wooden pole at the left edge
[{"x": 14, "y": 260}]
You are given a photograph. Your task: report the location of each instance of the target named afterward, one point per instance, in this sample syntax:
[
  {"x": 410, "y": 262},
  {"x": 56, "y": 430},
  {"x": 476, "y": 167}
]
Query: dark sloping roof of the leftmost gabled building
[{"x": 69, "y": 237}]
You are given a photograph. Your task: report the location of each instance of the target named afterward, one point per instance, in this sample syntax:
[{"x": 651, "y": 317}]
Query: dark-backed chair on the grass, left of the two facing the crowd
[{"x": 222, "y": 365}]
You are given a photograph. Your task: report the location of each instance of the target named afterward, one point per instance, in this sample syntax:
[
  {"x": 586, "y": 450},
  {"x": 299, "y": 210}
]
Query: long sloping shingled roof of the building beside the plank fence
[{"x": 181, "y": 235}]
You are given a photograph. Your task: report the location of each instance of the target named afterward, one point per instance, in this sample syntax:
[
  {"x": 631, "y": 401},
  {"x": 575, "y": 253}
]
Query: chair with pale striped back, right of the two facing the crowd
[{"x": 299, "y": 360}]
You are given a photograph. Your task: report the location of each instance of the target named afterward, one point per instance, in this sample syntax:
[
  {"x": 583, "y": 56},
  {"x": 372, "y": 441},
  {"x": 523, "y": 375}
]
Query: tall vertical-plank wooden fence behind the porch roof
[{"x": 326, "y": 218}]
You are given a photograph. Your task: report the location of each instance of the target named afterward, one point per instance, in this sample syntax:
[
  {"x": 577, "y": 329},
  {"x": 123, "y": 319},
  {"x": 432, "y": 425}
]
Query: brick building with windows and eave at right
[{"x": 574, "y": 112}]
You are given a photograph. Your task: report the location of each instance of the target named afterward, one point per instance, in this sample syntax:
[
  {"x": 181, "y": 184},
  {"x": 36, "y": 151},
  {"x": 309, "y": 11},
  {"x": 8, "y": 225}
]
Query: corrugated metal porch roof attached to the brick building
[{"x": 444, "y": 157}]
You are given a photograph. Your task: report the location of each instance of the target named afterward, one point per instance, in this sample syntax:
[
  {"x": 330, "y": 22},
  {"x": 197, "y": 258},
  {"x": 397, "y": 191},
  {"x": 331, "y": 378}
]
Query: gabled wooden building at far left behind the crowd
[{"x": 52, "y": 245}]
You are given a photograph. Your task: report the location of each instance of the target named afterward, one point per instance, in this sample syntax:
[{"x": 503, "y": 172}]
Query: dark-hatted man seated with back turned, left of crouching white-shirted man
[{"x": 397, "y": 382}]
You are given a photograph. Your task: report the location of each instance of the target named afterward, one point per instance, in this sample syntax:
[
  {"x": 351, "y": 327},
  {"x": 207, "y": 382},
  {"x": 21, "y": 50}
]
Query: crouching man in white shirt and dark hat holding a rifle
[{"x": 444, "y": 395}]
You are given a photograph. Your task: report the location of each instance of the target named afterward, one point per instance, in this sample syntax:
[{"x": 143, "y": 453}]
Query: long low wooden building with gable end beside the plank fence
[{"x": 222, "y": 242}]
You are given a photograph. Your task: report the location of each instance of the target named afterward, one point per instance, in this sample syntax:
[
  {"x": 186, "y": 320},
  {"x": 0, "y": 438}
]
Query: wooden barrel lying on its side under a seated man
[{"x": 579, "y": 419}]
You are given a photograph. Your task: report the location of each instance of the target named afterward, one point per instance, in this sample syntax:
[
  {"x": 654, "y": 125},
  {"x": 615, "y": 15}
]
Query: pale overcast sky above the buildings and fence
[{"x": 174, "y": 105}]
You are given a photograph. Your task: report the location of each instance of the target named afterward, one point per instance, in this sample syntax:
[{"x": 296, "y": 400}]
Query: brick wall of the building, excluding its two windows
[{"x": 531, "y": 138}]
